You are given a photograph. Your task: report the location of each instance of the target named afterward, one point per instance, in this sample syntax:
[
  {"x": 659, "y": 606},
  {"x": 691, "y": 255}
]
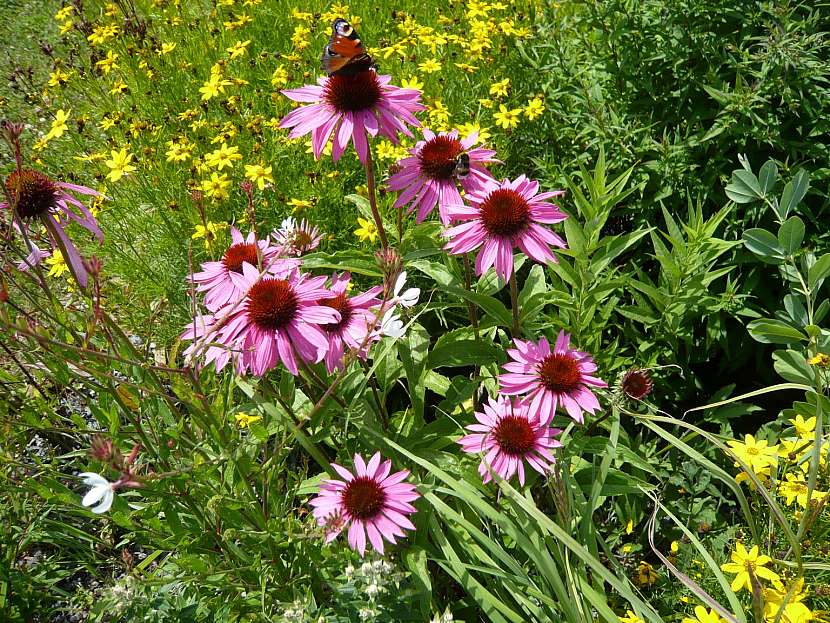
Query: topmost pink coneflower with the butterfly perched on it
[{"x": 349, "y": 107}]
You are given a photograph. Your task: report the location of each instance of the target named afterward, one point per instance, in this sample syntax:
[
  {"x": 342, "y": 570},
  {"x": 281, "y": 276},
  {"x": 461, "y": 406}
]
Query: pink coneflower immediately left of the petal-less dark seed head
[{"x": 562, "y": 377}]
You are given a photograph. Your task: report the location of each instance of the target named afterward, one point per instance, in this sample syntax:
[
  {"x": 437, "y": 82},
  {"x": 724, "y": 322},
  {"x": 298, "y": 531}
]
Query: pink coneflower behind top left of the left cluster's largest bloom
[{"x": 222, "y": 281}]
